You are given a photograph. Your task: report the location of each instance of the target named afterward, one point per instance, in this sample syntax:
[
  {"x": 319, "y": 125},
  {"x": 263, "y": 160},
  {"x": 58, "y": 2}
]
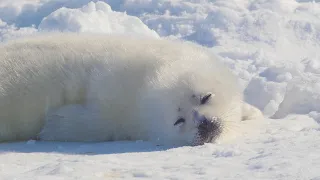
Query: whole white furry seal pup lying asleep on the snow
[{"x": 85, "y": 87}]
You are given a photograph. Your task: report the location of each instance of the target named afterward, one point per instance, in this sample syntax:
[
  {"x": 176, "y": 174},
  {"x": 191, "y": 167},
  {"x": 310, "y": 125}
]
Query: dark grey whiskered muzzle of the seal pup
[{"x": 208, "y": 131}]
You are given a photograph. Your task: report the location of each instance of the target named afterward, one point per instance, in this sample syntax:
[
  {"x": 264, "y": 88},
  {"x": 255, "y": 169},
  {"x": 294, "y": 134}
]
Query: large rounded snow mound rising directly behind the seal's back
[{"x": 94, "y": 17}]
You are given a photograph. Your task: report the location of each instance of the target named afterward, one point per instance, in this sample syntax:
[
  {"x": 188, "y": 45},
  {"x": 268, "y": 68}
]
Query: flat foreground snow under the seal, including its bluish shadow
[{"x": 285, "y": 149}]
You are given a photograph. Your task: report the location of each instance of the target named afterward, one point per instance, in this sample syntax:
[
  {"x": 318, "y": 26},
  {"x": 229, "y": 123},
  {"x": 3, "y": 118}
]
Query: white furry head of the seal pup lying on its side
[{"x": 190, "y": 107}]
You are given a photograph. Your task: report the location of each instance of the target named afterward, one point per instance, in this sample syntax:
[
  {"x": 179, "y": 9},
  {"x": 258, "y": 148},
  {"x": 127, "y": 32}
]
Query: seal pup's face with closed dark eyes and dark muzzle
[{"x": 196, "y": 117}]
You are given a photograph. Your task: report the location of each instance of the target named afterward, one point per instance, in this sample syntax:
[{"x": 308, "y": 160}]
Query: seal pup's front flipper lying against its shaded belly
[{"x": 71, "y": 123}]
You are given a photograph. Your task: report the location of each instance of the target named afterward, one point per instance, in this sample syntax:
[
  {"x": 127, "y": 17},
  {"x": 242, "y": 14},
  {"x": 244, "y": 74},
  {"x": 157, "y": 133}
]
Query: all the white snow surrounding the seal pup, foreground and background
[{"x": 271, "y": 45}]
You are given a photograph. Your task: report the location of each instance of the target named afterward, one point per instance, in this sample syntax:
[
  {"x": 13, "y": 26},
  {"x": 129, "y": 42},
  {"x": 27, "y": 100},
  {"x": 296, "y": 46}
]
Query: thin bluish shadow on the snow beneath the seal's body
[{"x": 92, "y": 148}]
